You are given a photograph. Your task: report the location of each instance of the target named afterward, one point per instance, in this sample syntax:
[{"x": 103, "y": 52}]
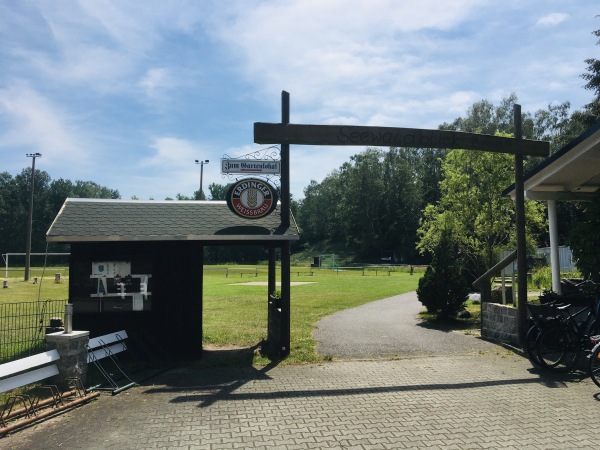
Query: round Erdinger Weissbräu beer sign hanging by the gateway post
[{"x": 252, "y": 198}]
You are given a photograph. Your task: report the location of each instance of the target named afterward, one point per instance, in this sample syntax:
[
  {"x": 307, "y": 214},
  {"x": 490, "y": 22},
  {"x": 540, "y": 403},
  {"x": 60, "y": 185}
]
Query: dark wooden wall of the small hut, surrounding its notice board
[{"x": 175, "y": 317}]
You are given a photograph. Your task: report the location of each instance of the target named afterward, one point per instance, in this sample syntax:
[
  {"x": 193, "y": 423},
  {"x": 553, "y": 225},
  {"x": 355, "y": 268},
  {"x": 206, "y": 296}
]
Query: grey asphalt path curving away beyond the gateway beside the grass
[{"x": 391, "y": 328}]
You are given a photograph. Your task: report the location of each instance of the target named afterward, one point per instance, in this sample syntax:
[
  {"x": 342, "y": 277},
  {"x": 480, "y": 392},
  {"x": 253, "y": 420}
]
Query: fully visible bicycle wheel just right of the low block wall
[{"x": 558, "y": 348}]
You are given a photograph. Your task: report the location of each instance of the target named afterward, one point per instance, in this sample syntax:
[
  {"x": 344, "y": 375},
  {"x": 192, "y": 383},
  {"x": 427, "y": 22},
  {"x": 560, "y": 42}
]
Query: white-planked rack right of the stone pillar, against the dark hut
[{"x": 107, "y": 346}]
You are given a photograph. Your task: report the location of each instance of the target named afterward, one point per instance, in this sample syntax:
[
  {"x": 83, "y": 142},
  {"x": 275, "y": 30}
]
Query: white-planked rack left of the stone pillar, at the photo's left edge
[{"x": 27, "y": 371}]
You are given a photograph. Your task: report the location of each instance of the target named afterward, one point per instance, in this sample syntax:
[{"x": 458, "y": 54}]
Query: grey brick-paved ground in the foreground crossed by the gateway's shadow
[{"x": 490, "y": 399}]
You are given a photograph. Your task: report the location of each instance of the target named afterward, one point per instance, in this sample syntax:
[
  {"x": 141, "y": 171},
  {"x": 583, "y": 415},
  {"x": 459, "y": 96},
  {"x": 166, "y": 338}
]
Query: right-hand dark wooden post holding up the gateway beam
[{"x": 521, "y": 237}]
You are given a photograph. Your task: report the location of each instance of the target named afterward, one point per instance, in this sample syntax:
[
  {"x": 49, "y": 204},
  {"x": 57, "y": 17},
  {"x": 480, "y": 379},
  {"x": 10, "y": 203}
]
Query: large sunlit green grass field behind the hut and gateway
[{"x": 235, "y": 313}]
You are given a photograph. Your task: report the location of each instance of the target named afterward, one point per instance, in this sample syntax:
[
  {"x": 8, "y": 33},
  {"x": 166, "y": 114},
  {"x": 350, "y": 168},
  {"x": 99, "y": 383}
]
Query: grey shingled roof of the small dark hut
[{"x": 97, "y": 220}]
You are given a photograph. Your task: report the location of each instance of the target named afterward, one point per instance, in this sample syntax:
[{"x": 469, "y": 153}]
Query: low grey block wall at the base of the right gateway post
[{"x": 499, "y": 323}]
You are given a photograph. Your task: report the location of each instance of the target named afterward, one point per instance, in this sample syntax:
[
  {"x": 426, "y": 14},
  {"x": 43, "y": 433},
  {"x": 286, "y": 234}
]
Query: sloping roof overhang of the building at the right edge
[{"x": 571, "y": 174}]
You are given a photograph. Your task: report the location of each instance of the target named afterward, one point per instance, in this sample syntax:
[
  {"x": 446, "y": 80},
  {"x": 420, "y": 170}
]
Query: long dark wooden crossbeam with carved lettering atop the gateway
[{"x": 277, "y": 133}]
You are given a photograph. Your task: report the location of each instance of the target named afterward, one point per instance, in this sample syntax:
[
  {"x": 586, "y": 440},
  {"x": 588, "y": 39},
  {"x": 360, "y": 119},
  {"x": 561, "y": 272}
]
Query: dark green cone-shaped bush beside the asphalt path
[{"x": 443, "y": 289}]
